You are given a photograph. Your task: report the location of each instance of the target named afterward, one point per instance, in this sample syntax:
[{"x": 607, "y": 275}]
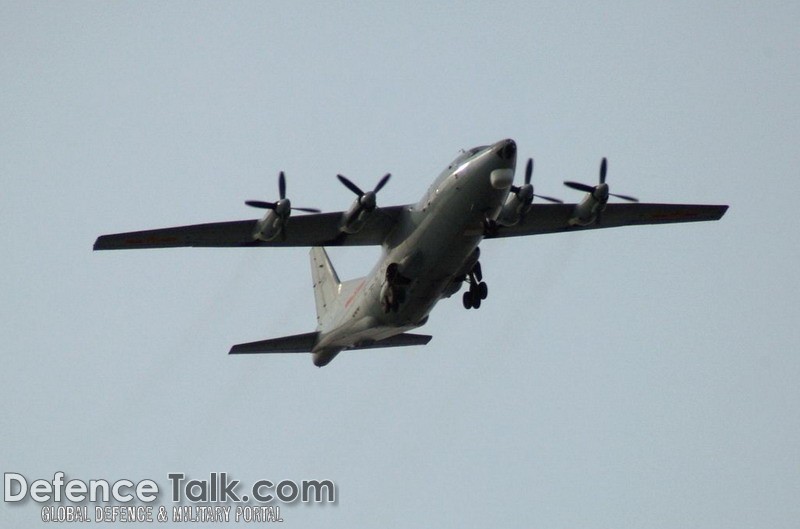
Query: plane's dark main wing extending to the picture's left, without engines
[{"x": 320, "y": 229}]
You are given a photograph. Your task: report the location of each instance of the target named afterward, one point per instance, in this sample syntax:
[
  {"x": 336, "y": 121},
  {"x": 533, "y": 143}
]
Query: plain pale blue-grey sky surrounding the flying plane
[{"x": 637, "y": 377}]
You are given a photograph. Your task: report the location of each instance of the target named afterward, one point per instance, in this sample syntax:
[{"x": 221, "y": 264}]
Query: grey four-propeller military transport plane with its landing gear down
[{"x": 430, "y": 249}]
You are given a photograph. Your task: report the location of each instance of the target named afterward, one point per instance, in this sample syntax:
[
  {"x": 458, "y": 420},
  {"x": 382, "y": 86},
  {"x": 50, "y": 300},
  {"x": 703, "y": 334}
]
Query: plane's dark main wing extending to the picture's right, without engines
[{"x": 554, "y": 218}]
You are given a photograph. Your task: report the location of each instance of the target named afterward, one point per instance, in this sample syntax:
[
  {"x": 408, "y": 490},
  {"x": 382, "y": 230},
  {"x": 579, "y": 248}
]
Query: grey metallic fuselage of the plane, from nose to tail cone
[{"x": 432, "y": 248}]
